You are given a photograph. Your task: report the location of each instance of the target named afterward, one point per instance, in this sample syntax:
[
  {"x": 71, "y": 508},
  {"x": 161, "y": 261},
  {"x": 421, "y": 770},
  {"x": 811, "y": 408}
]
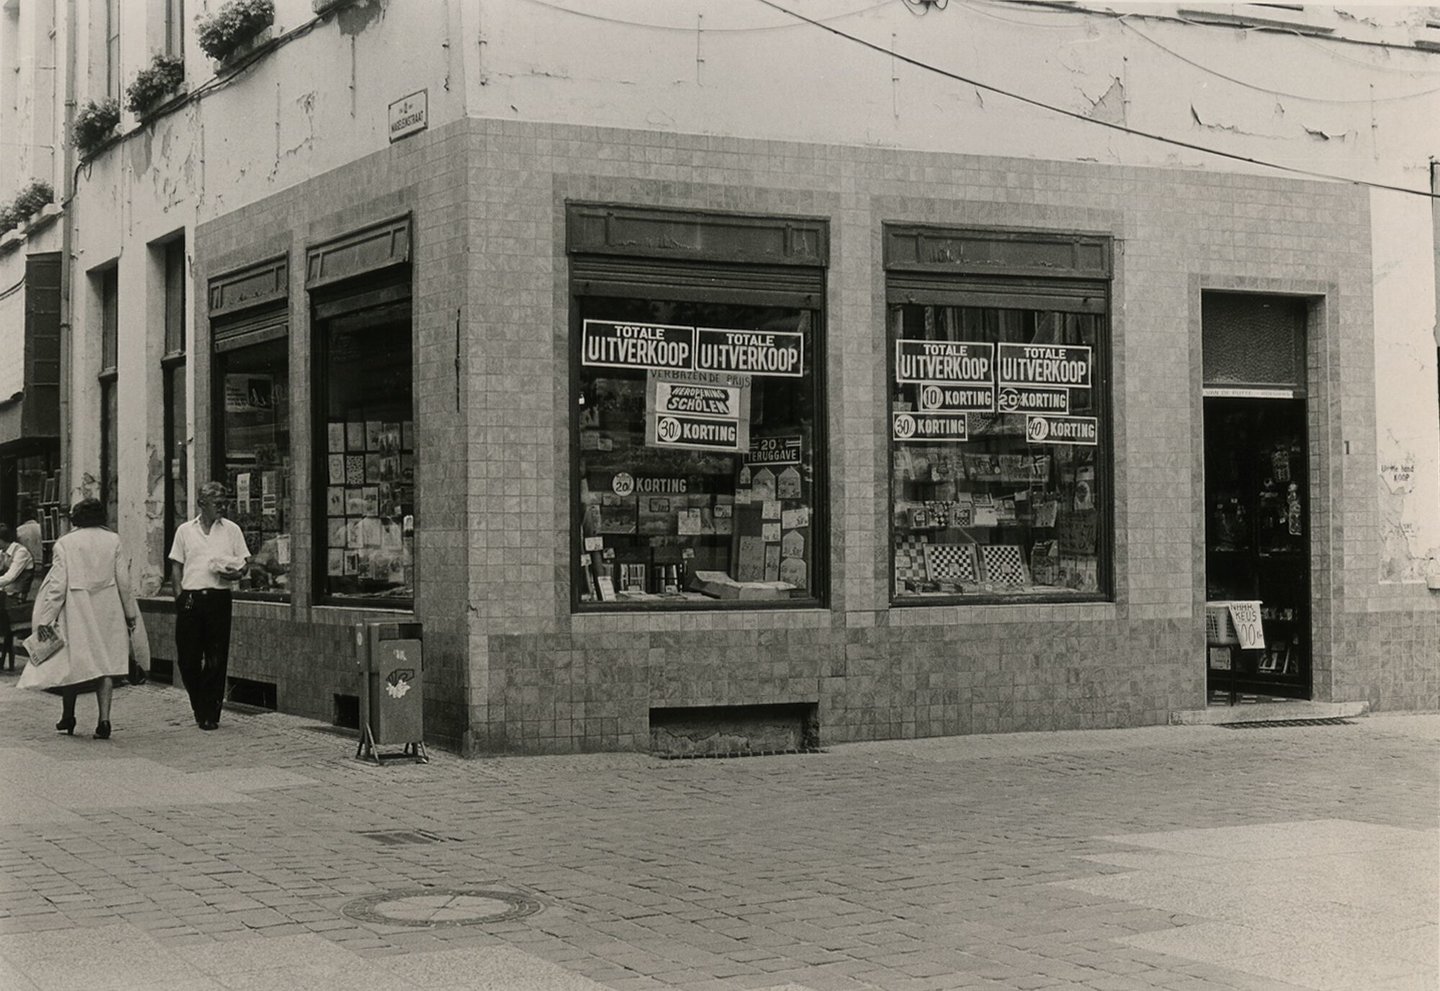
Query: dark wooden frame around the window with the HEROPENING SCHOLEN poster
[{"x": 620, "y": 251}]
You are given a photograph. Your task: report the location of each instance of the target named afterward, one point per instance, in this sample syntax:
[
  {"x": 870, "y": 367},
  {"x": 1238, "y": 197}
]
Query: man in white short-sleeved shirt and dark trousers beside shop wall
[{"x": 212, "y": 557}]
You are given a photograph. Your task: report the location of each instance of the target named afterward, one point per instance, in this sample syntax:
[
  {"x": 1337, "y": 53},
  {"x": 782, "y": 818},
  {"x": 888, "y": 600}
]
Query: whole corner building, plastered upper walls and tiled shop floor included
[{"x": 918, "y": 369}]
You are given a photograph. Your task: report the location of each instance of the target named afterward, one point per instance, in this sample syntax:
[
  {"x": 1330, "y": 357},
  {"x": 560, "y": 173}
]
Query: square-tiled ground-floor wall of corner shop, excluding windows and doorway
[{"x": 509, "y": 669}]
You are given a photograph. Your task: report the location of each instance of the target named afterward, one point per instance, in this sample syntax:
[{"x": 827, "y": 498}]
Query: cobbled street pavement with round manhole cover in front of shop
[{"x": 266, "y": 856}]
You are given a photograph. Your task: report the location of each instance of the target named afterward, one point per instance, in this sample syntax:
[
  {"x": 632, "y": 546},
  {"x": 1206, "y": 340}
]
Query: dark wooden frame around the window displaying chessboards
[{"x": 1006, "y": 270}]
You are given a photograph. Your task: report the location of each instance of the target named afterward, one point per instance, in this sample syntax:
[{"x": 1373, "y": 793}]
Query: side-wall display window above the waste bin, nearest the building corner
[{"x": 368, "y": 441}]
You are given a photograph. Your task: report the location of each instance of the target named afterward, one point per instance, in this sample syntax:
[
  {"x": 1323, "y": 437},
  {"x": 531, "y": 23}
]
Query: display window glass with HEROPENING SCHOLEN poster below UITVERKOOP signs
[{"x": 699, "y": 450}]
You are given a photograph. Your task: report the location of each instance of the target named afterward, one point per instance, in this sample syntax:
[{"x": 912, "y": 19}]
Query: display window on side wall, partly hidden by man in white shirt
[{"x": 254, "y": 454}]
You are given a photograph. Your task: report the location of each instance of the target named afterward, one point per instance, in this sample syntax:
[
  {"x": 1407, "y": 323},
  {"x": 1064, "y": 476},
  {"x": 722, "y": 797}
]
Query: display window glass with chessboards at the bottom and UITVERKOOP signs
[{"x": 1000, "y": 459}]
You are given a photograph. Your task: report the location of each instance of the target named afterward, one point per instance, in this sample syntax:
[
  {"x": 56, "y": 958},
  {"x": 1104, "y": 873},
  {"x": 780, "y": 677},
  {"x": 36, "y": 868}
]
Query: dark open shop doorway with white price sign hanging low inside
[{"x": 1258, "y": 496}]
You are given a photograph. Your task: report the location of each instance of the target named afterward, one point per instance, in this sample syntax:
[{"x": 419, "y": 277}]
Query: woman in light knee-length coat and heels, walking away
[{"x": 89, "y": 603}]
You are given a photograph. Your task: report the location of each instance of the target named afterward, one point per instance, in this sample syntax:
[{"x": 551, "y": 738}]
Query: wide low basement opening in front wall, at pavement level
[{"x": 690, "y": 732}]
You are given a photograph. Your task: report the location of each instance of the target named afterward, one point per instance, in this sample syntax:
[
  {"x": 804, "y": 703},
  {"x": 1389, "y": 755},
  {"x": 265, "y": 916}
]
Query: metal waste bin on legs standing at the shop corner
[{"x": 392, "y": 691}]
